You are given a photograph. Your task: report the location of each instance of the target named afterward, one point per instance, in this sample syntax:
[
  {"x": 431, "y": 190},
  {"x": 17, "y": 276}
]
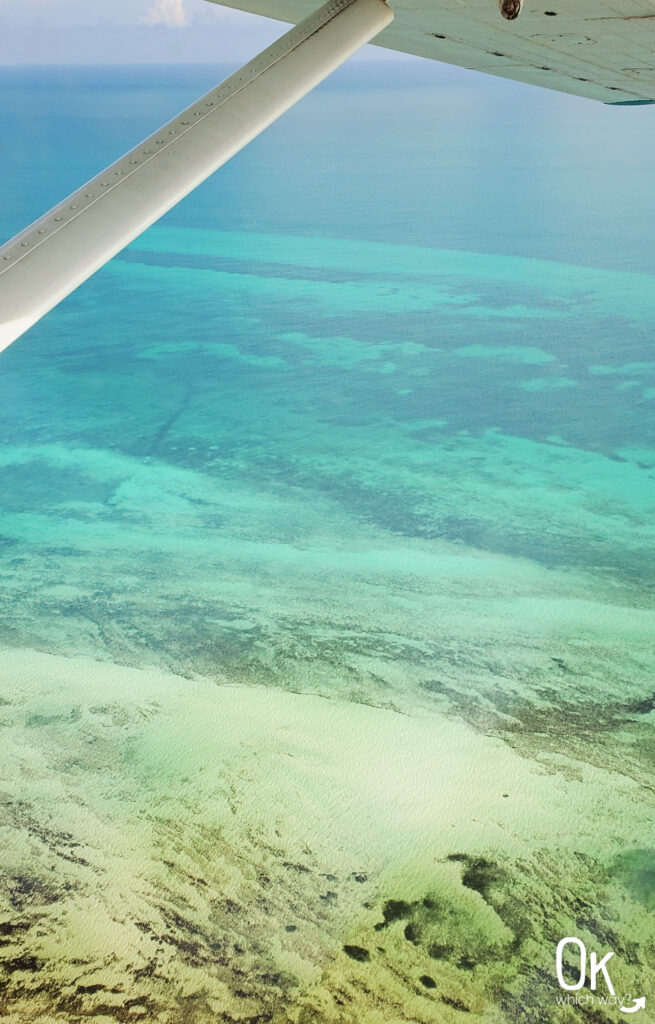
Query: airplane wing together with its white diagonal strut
[{"x": 598, "y": 49}]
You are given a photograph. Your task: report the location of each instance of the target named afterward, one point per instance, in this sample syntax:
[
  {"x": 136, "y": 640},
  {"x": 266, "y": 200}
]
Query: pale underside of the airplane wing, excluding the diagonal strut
[{"x": 601, "y": 50}]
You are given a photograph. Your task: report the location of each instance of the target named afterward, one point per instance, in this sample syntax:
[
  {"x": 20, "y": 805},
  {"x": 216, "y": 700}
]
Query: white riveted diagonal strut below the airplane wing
[{"x": 50, "y": 260}]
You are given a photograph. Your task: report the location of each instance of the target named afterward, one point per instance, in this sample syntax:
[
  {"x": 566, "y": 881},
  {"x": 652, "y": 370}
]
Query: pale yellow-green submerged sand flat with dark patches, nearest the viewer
[{"x": 198, "y": 851}]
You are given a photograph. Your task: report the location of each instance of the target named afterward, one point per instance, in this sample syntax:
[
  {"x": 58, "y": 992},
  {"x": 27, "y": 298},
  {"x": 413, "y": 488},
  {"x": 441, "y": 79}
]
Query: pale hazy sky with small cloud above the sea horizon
[{"x": 77, "y": 32}]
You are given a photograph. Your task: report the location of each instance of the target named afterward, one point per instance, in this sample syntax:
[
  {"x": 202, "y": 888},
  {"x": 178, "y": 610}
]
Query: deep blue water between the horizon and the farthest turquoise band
[{"x": 411, "y": 152}]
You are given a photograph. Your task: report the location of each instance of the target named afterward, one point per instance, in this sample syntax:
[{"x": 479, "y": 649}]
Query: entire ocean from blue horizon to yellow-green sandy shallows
[{"x": 327, "y": 524}]
